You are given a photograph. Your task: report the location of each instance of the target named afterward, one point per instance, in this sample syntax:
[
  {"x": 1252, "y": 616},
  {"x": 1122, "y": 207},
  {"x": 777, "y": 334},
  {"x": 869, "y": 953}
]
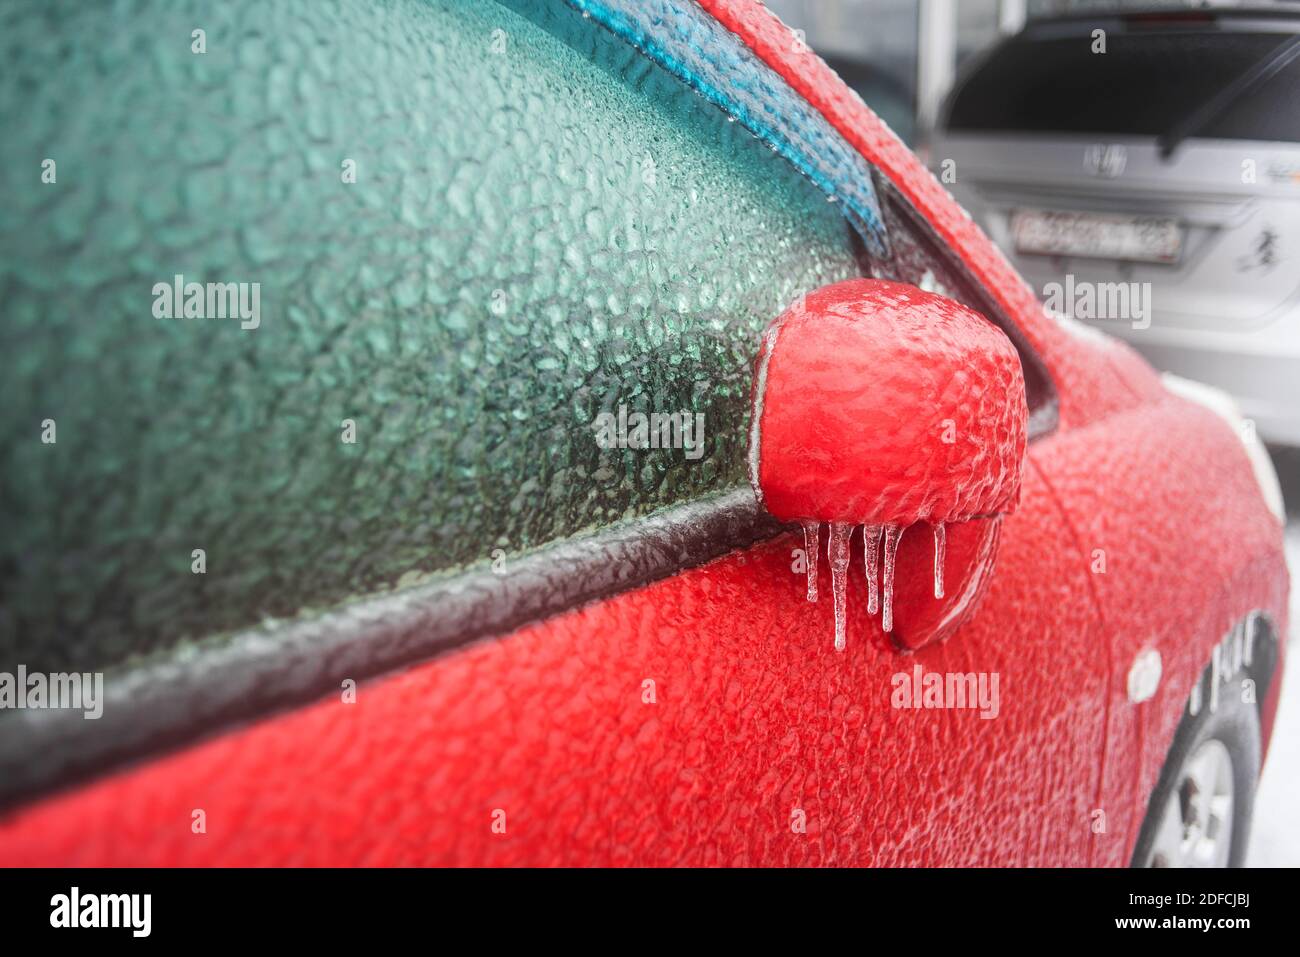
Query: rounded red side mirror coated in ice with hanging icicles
[{"x": 883, "y": 406}]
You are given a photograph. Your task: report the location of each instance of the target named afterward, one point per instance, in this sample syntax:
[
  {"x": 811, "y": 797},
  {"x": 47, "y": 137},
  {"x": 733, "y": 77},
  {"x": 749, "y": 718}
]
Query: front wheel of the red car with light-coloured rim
[{"x": 1201, "y": 812}]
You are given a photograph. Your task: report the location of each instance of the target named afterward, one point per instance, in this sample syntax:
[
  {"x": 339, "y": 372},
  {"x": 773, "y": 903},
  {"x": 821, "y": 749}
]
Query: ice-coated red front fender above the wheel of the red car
[{"x": 1180, "y": 549}]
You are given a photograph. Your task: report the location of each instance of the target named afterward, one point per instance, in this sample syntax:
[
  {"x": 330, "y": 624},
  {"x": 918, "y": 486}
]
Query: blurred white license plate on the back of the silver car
[{"x": 1098, "y": 236}]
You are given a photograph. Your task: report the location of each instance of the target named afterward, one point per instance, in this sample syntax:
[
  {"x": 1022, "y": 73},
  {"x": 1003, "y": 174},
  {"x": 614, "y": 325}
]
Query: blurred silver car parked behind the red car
[{"x": 1142, "y": 171}]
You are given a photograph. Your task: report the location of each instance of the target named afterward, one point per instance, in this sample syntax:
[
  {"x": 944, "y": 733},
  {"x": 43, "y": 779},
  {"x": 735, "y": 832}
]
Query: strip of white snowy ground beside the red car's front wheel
[{"x": 1276, "y": 837}]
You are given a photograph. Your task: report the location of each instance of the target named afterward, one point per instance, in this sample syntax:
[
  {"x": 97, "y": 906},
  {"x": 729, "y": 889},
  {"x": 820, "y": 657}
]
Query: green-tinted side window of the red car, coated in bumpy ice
[{"x": 474, "y": 228}]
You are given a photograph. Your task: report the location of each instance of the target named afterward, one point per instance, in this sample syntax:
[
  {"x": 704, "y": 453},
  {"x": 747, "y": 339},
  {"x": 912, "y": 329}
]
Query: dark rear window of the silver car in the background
[{"x": 1142, "y": 85}]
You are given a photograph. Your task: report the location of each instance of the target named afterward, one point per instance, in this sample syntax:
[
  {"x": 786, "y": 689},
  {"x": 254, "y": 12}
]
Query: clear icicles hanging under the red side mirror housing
[{"x": 879, "y": 592}]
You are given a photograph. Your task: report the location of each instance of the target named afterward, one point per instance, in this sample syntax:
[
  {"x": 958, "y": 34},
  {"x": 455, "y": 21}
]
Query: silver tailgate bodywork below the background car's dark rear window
[{"x": 1225, "y": 193}]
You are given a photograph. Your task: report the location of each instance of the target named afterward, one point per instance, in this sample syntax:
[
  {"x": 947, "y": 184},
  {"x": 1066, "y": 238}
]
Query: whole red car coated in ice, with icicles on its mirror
[{"x": 596, "y": 339}]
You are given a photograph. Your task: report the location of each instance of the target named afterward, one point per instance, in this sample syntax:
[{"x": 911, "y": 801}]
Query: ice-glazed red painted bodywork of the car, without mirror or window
[{"x": 755, "y": 722}]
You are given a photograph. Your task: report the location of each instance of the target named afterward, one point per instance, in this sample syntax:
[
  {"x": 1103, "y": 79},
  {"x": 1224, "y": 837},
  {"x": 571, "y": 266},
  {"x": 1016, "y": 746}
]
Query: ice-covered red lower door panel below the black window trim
[{"x": 701, "y": 721}]
